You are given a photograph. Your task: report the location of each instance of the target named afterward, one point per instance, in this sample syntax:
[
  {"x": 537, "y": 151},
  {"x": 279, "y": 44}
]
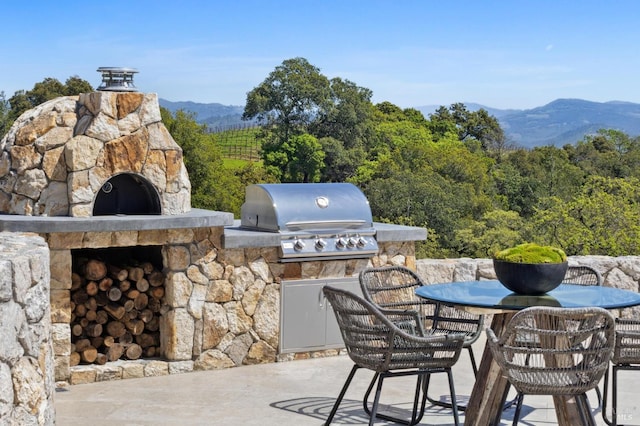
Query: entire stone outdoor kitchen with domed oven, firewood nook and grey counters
[{"x": 141, "y": 283}]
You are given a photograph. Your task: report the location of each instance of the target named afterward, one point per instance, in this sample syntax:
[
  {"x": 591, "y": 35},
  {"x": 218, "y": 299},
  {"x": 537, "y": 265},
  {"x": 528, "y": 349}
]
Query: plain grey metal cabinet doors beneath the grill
[{"x": 307, "y": 322}]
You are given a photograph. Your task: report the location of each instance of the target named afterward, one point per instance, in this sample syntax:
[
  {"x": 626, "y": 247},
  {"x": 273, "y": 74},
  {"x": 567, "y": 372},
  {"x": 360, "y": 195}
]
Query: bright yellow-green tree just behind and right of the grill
[{"x": 415, "y": 181}]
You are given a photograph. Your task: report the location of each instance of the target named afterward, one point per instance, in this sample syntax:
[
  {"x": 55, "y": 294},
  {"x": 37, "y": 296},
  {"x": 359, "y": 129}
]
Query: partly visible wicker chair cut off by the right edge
[{"x": 626, "y": 356}]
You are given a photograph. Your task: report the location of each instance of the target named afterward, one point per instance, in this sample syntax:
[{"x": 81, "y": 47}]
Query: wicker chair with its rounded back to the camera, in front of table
[{"x": 554, "y": 351}]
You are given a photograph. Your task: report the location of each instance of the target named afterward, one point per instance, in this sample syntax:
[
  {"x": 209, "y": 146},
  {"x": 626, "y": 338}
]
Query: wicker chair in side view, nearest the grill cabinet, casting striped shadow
[{"x": 374, "y": 341}]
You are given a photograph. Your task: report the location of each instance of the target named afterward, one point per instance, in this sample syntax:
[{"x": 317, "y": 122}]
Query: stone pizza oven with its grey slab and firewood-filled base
[{"x": 100, "y": 178}]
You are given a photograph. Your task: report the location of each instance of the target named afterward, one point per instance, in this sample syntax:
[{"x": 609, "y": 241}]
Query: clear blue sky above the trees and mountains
[{"x": 501, "y": 54}]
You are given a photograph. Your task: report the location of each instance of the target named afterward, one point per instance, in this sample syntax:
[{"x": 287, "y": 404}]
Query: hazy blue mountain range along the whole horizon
[{"x": 563, "y": 121}]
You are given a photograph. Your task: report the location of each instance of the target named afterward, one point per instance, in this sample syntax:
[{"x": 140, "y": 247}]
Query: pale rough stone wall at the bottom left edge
[{"x": 26, "y": 354}]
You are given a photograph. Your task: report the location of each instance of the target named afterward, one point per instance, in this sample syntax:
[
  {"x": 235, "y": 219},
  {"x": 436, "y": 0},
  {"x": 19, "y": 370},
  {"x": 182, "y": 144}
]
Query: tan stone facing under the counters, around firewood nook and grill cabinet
[{"x": 222, "y": 306}]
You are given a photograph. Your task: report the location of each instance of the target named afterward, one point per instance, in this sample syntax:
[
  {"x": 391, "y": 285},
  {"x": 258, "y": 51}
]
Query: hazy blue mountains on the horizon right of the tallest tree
[{"x": 563, "y": 121}]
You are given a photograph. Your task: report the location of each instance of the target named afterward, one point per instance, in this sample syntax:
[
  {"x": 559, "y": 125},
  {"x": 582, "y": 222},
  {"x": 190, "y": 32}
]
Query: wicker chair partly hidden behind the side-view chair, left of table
[{"x": 393, "y": 287}]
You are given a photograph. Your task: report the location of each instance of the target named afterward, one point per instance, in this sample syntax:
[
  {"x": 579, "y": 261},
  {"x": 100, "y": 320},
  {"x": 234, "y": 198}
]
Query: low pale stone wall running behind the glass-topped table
[{"x": 620, "y": 272}]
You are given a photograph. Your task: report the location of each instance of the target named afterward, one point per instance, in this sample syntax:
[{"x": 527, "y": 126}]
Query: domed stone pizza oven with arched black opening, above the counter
[{"x": 73, "y": 156}]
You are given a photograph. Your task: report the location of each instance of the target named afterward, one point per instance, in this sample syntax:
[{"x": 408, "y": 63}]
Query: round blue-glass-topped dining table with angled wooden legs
[{"x": 491, "y": 297}]
